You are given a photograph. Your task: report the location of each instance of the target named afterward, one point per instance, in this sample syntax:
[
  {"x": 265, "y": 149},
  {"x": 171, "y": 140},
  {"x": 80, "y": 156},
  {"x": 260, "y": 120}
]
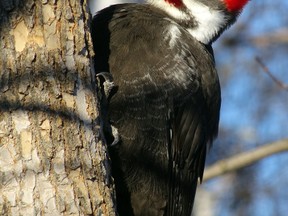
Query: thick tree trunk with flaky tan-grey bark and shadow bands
[{"x": 52, "y": 160}]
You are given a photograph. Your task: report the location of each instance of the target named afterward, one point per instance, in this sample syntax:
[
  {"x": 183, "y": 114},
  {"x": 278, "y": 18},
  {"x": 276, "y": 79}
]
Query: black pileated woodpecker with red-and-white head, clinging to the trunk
[{"x": 166, "y": 99}]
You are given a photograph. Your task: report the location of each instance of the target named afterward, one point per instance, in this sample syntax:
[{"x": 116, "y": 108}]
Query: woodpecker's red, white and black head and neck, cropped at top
[{"x": 204, "y": 19}]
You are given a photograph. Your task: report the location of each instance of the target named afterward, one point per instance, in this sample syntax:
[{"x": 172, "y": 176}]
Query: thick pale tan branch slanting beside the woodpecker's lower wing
[{"x": 244, "y": 159}]
